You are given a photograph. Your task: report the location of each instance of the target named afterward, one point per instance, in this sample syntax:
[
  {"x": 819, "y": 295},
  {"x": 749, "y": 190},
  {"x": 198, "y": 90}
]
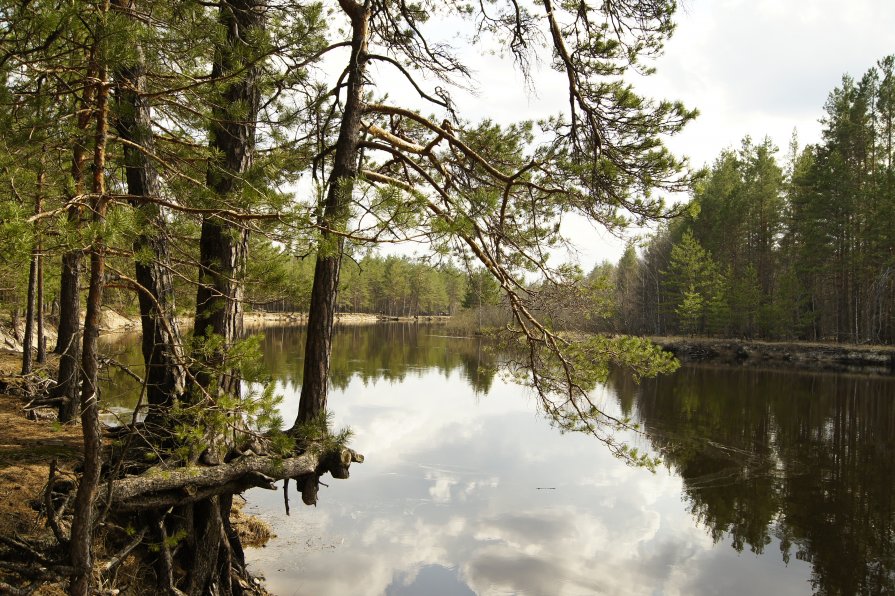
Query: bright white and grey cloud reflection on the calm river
[{"x": 448, "y": 502}]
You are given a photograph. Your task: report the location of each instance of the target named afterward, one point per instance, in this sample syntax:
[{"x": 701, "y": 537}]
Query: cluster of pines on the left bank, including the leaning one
[{"x": 185, "y": 157}]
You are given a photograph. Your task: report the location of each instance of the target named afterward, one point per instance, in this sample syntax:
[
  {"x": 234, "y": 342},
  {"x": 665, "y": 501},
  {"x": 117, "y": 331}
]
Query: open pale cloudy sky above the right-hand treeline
[{"x": 762, "y": 67}]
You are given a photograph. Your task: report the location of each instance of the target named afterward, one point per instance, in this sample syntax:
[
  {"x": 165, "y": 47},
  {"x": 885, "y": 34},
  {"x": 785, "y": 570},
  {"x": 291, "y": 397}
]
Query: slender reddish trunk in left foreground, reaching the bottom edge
[{"x": 83, "y": 522}]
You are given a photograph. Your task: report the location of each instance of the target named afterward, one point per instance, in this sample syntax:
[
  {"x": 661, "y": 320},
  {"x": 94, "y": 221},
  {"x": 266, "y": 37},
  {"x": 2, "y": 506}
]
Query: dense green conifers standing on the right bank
[{"x": 801, "y": 249}]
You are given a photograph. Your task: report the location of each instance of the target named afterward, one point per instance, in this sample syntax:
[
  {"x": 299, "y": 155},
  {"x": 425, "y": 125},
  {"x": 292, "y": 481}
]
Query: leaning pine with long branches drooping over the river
[{"x": 496, "y": 195}]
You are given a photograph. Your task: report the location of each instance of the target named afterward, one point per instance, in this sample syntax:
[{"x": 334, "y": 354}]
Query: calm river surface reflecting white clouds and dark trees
[{"x": 773, "y": 482}]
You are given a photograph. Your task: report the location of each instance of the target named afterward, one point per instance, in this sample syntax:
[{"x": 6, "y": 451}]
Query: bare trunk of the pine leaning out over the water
[{"x": 324, "y": 291}]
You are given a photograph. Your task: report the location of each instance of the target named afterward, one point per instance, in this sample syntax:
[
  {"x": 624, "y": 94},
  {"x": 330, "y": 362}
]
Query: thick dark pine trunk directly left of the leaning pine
[{"x": 213, "y": 550}]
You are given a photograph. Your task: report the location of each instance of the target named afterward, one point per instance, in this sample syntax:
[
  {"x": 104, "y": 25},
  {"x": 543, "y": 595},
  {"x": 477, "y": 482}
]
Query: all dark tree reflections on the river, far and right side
[{"x": 803, "y": 460}]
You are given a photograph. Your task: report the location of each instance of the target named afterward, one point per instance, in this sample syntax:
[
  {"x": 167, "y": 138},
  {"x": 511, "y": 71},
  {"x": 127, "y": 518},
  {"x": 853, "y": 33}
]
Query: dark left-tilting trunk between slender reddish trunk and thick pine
[{"x": 162, "y": 345}]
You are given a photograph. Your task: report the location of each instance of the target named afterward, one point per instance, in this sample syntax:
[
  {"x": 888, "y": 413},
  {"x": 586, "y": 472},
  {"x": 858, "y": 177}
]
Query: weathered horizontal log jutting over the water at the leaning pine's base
[{"x": 159, "y": 487}]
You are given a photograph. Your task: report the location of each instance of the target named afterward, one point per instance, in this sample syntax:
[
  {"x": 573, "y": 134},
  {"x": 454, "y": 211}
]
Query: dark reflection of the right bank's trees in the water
[{"x": 802, "y": 460}]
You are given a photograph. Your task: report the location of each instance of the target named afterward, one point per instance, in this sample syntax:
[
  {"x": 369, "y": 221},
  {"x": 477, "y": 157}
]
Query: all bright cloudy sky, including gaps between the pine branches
[{"x": 751, "y": 67}]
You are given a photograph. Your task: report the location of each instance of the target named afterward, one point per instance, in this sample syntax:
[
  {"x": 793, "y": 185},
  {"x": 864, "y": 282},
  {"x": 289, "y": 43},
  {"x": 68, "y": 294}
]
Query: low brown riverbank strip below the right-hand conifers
[{"x": 870, "y": 359}]
